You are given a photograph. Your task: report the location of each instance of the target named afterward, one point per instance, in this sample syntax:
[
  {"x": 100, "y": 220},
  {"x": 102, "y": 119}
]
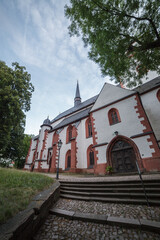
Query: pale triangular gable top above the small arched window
[{"x": 110, "y": 94}]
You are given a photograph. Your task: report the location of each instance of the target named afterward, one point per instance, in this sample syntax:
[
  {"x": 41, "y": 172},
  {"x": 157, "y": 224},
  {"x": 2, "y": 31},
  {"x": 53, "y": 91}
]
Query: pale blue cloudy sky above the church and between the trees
[{"x": 35, "y": 34}]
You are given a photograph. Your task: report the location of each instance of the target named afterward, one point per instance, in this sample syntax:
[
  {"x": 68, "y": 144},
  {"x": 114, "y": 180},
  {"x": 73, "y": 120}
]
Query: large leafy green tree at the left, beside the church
[{"x": 15, "y": 99}]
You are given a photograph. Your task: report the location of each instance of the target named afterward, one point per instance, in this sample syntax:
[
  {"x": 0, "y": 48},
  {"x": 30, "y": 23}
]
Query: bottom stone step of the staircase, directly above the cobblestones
[{"x": 111, "y": 200}]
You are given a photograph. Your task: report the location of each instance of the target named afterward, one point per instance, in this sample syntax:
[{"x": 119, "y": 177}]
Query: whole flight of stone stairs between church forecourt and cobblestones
[{"x": 127, "y": 191}]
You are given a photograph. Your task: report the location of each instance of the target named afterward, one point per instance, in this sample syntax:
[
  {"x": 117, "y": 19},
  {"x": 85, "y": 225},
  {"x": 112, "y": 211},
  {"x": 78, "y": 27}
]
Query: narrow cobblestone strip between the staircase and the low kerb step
[{"x": 110, "y": 209}]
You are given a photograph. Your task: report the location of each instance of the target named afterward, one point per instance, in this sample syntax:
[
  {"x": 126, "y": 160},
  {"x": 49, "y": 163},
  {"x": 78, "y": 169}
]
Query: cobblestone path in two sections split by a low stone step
[{"x": 61, "y": 228}]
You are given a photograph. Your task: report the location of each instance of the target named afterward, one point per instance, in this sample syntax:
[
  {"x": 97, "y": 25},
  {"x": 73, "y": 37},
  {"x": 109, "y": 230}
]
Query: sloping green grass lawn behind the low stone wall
[{"x": 17, "y": 188}]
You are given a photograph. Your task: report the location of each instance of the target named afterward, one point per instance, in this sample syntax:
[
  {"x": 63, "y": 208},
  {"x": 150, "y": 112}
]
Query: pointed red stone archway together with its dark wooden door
[{"x": 123, "y": 154}]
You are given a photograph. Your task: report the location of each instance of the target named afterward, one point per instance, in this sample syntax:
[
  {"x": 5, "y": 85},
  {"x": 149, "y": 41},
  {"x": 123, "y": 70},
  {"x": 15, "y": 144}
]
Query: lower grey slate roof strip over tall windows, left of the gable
[{"x": 74, "y": 118}]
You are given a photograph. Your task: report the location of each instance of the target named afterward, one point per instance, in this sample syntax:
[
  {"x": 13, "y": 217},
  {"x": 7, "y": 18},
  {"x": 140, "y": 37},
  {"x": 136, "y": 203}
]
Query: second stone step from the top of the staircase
[{"x": 106, "y": 189}]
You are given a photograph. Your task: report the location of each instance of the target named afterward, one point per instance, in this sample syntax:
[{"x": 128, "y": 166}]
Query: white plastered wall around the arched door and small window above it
[{"x": 130, "y": 125}]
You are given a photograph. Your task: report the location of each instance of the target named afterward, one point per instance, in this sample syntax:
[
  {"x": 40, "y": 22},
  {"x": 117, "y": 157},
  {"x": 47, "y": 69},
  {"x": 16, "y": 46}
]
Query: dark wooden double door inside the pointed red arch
[{"x": 123, "y": 157}]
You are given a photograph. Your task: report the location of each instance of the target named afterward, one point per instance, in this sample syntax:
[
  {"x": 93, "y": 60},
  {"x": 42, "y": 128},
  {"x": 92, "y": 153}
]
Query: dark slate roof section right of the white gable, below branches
[{"x": 154, "y": 83}]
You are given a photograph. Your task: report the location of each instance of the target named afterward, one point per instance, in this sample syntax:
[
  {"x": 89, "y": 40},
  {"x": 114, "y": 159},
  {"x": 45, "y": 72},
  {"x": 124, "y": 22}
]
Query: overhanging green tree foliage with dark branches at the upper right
[{"x": 123, "y": 35}]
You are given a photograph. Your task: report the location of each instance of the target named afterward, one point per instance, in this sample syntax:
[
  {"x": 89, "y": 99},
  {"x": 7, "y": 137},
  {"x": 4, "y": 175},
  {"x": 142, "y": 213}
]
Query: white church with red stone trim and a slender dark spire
[{"x": 118, "y": 128}]
